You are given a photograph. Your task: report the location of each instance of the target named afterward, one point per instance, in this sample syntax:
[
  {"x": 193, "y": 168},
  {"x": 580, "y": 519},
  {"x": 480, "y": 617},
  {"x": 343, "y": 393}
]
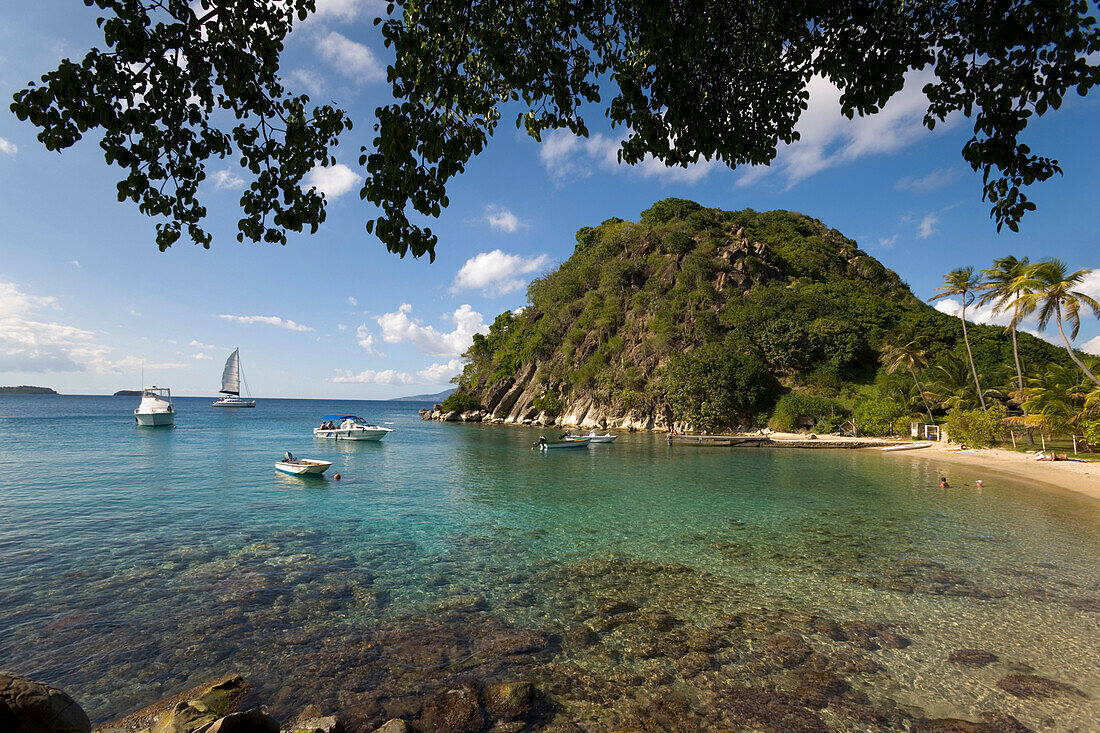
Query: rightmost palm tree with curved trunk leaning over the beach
[{"x": 1049, "y": 290}]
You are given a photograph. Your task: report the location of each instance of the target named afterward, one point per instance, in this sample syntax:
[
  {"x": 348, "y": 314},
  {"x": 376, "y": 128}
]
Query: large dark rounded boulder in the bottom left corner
[{"x": 31, "y": 707}]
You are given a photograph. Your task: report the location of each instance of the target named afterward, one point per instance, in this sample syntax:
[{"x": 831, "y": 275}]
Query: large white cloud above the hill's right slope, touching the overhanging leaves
[{"x": 829, "y": 139}]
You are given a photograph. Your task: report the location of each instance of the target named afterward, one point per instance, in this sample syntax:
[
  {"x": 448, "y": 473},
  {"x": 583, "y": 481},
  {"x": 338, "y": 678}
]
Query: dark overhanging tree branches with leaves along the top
[{"x": 716, "y": 80}]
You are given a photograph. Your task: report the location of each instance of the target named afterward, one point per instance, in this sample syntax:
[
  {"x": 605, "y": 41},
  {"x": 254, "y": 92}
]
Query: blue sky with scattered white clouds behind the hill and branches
[{"x": 89, "y": 304}]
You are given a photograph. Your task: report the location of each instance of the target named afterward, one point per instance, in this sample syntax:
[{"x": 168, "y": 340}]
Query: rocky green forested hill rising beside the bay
[{"x": 705, "y": 319}]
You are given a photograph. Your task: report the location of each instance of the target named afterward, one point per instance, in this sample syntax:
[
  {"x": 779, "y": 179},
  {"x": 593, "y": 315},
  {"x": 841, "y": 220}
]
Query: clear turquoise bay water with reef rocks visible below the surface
[{"x": 136, "y": 562}]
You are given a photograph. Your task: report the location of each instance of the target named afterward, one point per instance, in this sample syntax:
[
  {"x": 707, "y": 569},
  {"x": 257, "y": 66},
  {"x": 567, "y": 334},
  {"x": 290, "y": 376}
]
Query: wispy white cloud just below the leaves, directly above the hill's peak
[{"x": 566, "y": 157}]
